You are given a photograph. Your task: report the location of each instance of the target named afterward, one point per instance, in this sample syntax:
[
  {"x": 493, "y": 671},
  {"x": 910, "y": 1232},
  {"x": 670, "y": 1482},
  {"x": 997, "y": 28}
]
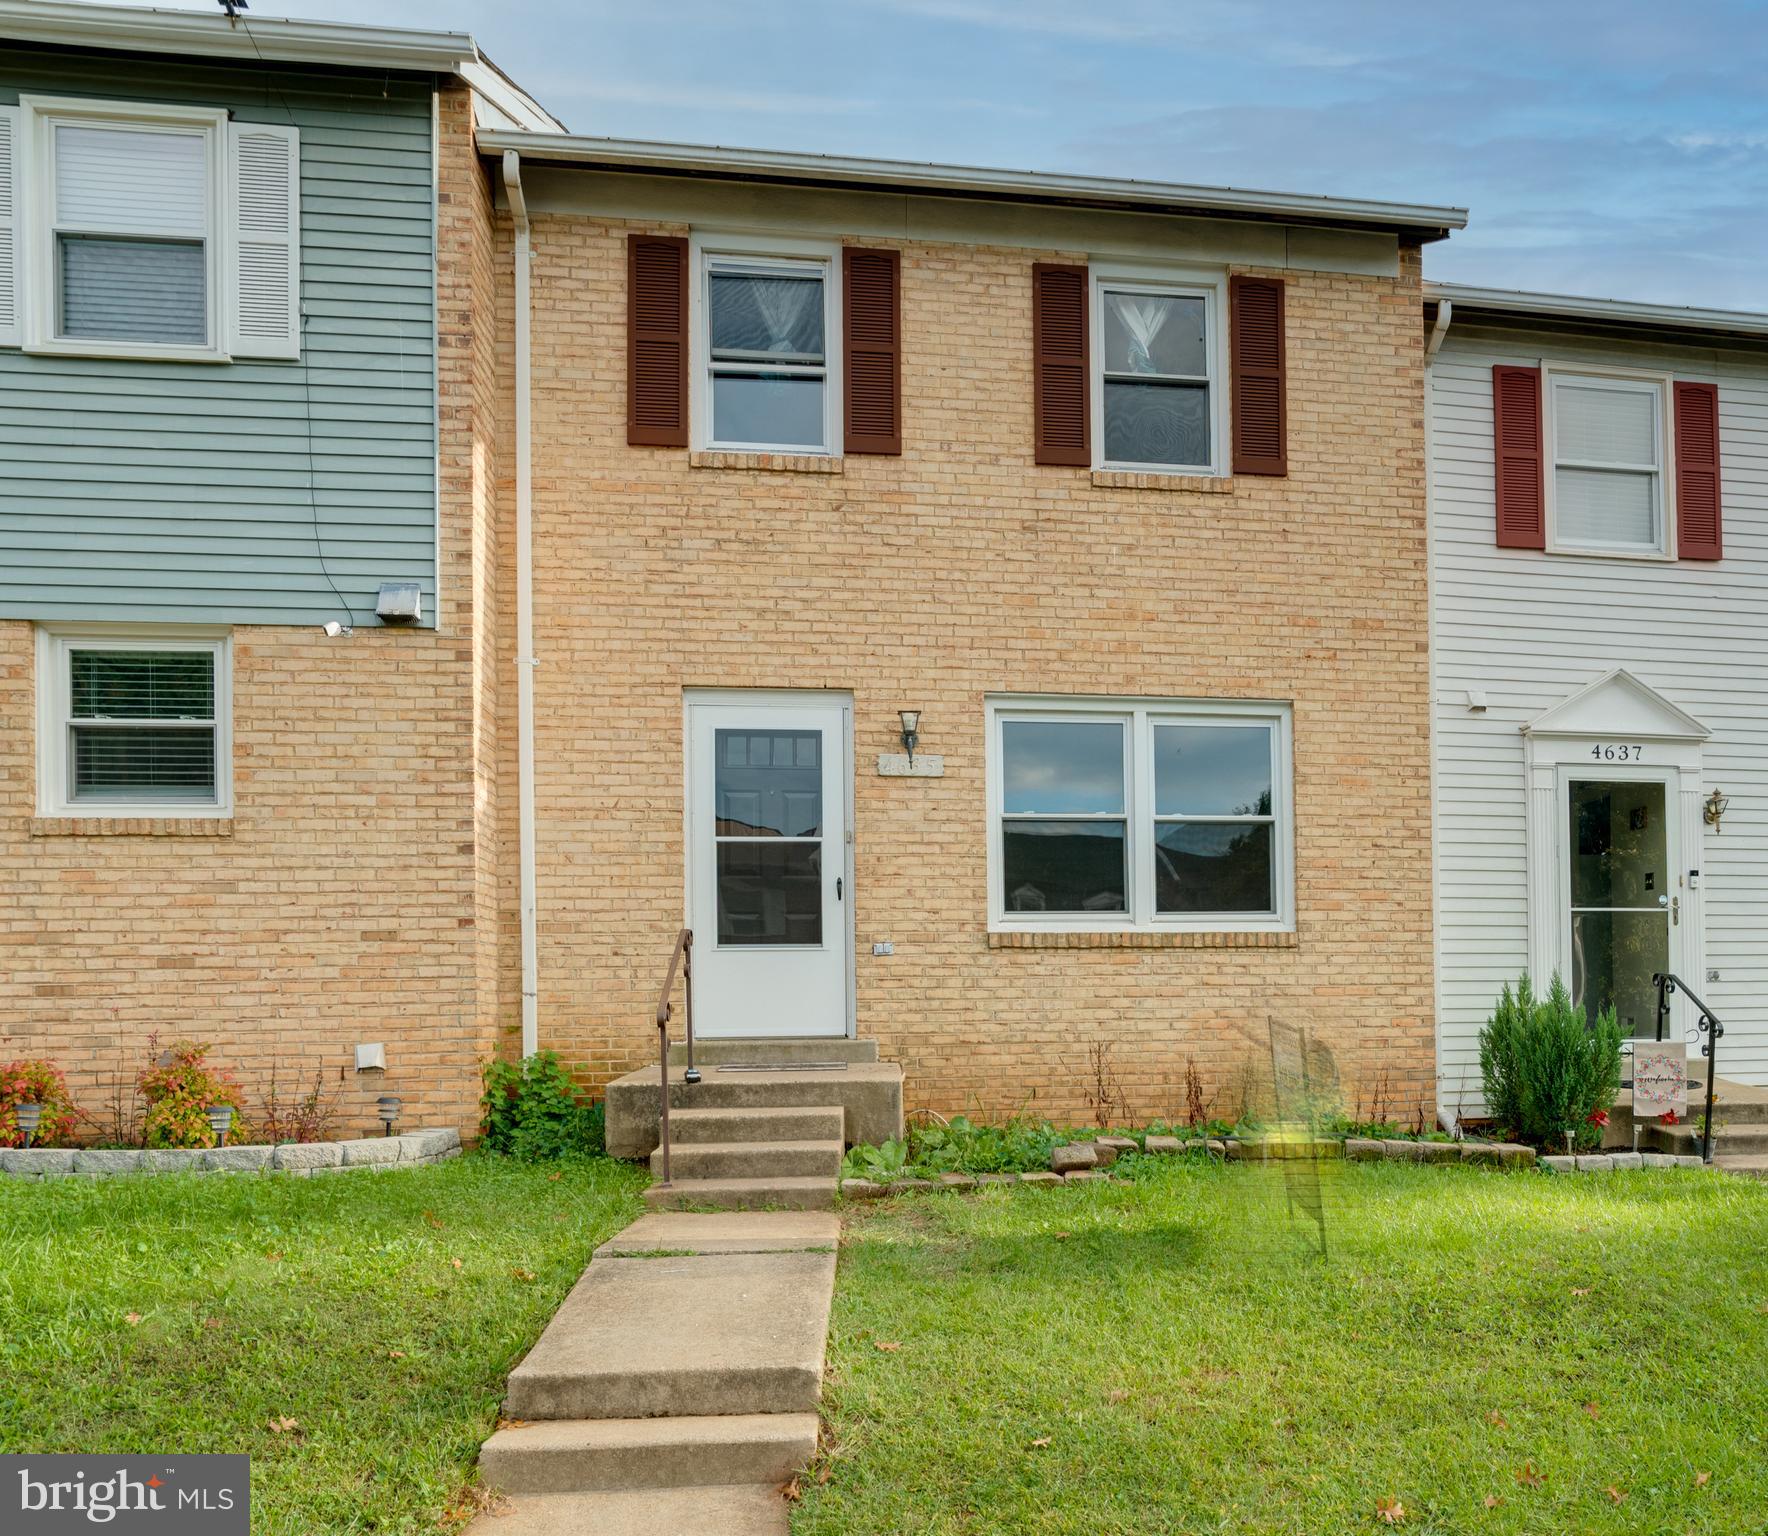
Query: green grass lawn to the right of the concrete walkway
[{"x": 1175, "y": 1357}]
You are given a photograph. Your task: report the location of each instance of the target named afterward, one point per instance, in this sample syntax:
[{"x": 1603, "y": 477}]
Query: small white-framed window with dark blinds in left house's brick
[{"x": 133, "y": 726}]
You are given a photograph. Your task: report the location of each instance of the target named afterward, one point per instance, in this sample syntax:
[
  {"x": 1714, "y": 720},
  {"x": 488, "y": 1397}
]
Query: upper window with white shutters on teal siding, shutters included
[{"x": 151, "y": 232}]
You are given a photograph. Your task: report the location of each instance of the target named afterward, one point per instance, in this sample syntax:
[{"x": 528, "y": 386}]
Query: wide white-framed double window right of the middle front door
[{"x": 1139, "y": 814}]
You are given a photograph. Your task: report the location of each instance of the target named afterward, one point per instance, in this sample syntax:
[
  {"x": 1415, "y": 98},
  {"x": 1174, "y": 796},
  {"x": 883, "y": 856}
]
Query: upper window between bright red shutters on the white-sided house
[{"x": 1608, "y": 441}]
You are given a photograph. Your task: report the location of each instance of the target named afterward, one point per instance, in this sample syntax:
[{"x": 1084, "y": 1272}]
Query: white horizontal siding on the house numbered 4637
[{"x": 1528, "y": 630}]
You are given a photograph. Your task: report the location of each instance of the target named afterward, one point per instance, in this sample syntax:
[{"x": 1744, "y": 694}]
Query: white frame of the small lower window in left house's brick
[{"x": 56, "y": 646}]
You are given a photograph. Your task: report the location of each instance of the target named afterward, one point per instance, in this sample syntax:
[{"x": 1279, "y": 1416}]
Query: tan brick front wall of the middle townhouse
[{"x": 957, "y": 572}]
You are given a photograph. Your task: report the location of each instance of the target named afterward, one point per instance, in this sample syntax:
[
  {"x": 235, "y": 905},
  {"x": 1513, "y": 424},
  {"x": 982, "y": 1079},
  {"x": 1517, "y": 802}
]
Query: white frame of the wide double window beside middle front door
[{"x": 1139, "y": 717}]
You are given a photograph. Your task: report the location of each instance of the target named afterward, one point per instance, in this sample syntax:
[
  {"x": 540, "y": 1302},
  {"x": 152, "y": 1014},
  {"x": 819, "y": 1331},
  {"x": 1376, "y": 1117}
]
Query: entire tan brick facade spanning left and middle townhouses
[{"x": 367, "y": 885}]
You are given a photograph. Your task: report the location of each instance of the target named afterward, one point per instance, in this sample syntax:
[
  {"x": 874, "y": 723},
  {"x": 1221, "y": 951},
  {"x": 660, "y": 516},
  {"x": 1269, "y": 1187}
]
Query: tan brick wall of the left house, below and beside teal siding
[{"x": 353, "y": 895}]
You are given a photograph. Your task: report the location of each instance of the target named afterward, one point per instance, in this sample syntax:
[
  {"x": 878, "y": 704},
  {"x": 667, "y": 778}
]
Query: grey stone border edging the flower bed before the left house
[{"x": 300, "y": 1160}]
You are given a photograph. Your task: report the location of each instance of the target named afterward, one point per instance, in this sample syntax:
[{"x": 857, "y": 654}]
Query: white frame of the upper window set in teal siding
[{"x": 40, "y": 118}]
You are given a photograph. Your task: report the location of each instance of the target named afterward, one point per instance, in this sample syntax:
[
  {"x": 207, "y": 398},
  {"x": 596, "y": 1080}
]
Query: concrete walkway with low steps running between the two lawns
[{"x": 678, "y": 1385}]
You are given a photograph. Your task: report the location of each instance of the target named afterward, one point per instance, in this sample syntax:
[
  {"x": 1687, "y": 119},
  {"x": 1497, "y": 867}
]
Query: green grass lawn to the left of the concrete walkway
[{"x": 379, "y": 1312}]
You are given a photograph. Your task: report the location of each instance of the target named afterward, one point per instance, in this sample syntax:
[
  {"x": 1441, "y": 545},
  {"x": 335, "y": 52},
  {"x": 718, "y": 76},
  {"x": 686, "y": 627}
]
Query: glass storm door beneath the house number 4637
[{"x": 1626, "y": 901}]
